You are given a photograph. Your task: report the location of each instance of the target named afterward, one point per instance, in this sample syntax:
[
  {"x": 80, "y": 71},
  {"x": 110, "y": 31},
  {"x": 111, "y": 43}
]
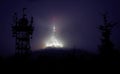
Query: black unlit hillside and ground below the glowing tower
[{"x": 60, "y": 61}]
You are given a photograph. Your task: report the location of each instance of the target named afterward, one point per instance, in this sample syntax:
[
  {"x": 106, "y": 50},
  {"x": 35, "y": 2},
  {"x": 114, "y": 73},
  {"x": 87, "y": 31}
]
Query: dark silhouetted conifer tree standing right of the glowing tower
[{"x": 107, "y": 46}]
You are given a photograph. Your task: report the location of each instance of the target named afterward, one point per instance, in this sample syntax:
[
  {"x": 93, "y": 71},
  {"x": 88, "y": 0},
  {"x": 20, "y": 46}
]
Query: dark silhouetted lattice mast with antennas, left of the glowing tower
[{"x": 22, "y": 30}]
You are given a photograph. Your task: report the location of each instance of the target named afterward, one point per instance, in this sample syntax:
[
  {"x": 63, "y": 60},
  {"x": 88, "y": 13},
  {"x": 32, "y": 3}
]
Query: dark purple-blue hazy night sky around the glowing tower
[{"x": 77, "y": 21}]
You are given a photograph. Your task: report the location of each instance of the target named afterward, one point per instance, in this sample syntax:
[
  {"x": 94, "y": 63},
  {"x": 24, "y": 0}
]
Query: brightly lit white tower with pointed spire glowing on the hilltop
[{"x": 53, "y": 41}]
